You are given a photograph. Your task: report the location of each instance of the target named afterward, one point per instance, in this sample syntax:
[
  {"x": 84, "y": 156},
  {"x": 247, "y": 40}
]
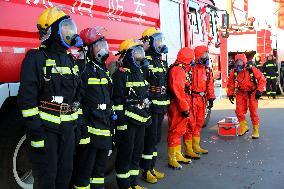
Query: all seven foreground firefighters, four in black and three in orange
[{"x": 66, "y": 102}]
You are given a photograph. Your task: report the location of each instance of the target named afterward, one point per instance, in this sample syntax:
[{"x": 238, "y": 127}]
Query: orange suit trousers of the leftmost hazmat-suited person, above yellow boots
[{"x": 177, "y": 125}]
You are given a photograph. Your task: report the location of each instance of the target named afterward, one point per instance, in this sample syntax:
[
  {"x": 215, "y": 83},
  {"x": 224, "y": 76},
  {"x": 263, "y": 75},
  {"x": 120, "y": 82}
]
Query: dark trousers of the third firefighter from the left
[{"x": 129, "y": 143}]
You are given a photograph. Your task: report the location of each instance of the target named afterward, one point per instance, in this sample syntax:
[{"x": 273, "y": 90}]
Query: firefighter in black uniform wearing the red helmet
[{"x": 96, "y": 121}]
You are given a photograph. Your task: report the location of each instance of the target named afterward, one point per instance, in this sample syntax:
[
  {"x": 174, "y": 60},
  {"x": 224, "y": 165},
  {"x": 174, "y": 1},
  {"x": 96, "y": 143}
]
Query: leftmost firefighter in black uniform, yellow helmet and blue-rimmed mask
[{"x": 48, "y": 99}]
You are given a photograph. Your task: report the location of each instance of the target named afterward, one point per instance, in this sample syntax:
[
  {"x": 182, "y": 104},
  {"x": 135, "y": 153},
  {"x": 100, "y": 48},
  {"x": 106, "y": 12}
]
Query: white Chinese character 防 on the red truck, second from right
[{"x": 115, "y": 9}]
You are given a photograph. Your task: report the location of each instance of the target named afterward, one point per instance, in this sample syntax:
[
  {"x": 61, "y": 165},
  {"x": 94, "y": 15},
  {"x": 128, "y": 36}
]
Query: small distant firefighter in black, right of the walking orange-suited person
[{"x": 270, "y": 71}]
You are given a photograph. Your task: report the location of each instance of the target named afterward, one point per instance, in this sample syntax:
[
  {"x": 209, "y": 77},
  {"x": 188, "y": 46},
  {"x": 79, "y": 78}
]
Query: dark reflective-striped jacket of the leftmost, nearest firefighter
[{"x": 49, "y": 78}]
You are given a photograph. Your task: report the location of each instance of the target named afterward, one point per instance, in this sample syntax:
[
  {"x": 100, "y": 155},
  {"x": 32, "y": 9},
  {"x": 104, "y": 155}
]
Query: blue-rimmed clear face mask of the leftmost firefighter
[{"x": 68, "y": 33}]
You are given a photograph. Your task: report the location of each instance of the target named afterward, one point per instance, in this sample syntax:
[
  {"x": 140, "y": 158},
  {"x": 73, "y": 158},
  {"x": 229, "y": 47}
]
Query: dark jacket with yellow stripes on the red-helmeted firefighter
[{"x": 96, "y": 94}]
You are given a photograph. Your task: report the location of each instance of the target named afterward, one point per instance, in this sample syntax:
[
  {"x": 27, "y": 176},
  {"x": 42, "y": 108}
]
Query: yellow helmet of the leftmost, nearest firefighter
[{"x": 49, "y": 16}]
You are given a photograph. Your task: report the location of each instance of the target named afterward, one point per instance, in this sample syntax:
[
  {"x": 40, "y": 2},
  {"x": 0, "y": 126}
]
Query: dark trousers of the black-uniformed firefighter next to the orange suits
[{"x": 152, "y": 138}]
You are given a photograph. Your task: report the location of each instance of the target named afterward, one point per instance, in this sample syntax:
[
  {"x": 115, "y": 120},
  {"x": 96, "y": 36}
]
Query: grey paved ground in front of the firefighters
[{"x": 232, "y": 162}]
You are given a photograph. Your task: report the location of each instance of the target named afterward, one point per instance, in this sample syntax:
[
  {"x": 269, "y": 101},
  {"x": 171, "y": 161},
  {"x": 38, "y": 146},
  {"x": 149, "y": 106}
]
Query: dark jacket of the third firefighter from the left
[{"x": 130, "y": 94}]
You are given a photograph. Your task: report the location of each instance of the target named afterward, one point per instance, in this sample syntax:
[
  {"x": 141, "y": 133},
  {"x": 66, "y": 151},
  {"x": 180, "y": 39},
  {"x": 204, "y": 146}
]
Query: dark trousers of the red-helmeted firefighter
[{"x": 89, "y": 167}]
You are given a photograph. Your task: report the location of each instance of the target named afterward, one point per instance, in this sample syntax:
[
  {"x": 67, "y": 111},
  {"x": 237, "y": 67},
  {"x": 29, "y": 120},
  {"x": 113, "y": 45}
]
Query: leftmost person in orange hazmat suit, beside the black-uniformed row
[{"x": 179, "y": 110}]
